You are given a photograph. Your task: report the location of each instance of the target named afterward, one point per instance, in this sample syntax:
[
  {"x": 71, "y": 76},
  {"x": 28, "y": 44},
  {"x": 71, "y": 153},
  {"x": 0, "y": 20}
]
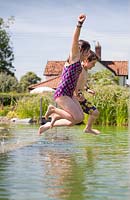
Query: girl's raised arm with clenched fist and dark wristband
[{"x": 74, "y": 52}]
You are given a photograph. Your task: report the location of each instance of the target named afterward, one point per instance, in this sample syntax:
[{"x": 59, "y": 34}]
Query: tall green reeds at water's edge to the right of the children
[{"x": 112, "y": 103}]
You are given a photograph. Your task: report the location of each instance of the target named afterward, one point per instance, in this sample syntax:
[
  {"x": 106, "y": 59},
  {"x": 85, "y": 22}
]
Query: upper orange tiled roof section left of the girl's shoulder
[{"x": 54, "y": 68}]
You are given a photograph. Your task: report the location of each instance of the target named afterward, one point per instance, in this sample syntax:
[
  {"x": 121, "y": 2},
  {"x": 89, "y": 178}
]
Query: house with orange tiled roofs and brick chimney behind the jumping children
[{"x": 54, "y": 69}]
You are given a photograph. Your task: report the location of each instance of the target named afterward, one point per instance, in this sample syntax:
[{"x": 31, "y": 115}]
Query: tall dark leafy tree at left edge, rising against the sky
[{"x": 6, "y": 51}]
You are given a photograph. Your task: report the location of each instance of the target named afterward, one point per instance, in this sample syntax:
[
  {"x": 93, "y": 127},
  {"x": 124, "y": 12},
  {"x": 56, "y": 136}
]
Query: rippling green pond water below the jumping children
[{"x": 64, "y": 164}]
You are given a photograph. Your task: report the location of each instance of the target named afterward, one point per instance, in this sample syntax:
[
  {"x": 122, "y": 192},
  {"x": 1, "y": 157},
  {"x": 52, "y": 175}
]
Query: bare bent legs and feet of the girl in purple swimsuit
[{"x": 62, "y": 117}]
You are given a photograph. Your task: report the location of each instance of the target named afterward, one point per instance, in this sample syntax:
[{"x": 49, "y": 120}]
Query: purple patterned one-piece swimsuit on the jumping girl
[{"x": 69, "y": 80}]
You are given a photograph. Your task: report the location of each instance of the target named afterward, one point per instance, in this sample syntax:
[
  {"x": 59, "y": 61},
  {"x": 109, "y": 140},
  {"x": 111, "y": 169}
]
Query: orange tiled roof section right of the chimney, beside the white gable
[{"x": 120, "y": 68}]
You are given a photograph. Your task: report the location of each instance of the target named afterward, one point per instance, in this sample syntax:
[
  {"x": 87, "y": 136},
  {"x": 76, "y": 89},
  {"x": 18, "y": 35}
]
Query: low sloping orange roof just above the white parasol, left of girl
[{"x": 53, "y": 82}]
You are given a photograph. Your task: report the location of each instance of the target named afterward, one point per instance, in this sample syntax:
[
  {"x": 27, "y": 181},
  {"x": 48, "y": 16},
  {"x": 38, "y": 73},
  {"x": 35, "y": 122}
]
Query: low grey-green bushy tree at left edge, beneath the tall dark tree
[{"x": 8, "y": 83}]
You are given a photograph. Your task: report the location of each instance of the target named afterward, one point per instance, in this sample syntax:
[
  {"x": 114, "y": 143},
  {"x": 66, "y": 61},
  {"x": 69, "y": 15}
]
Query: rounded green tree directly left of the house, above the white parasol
[{"x": 28, "y": 79}]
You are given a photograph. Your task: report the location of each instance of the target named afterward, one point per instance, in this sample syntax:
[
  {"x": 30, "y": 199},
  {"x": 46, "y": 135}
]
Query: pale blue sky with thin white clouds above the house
[{"x": 43, "y": 29}]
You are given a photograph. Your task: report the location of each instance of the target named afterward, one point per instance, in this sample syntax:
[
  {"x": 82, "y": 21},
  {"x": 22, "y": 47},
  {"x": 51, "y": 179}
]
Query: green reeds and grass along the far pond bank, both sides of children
[{"x": 113, "y": 103}]
